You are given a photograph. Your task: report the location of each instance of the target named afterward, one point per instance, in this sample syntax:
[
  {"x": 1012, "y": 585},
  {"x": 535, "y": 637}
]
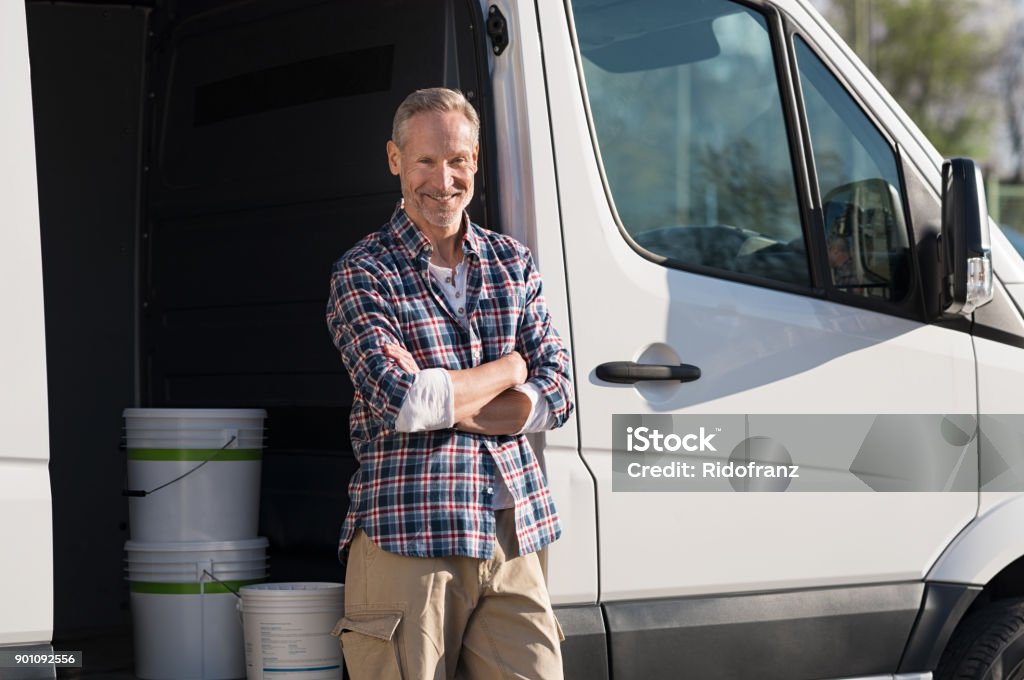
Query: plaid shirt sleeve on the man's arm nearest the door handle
[{"x": 550, "y": 369}]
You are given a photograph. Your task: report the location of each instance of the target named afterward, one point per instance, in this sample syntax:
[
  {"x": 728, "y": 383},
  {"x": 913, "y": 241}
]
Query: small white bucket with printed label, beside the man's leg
[{"x": 288, "y": 630}]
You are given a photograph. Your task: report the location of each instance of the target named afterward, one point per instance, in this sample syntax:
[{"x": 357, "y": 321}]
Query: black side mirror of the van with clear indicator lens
[{"x": 965, "y": 247}]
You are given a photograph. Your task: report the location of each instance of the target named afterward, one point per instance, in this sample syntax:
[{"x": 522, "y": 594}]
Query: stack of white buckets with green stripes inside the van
[{"x": 194, "y": 481}]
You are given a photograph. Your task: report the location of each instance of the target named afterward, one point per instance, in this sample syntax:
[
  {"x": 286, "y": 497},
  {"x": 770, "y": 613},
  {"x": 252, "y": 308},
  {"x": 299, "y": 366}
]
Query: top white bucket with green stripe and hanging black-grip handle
[{"x": 194, "y": 475}]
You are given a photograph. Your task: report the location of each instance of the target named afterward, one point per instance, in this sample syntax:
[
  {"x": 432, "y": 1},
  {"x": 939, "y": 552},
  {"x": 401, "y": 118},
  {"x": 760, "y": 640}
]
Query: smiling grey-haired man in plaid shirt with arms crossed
[{"x": 446, "y": 335}]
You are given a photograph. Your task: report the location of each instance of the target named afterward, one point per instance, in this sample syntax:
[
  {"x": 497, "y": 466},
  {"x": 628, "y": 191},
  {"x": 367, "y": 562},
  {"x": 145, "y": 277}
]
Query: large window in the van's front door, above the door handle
[{"x": 690, "y": 122}]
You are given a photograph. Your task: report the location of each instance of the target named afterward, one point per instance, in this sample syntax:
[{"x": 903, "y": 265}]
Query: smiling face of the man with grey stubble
[{"x": 437, "y": 166}]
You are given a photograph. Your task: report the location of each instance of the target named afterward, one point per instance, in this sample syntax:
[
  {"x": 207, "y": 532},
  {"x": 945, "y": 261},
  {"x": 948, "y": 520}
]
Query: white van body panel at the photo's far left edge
[{"x": 26, "y": 572}]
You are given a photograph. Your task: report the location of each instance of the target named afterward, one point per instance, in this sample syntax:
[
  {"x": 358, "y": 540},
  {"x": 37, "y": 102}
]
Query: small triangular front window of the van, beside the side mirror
[{"x": 862, "y": 196}]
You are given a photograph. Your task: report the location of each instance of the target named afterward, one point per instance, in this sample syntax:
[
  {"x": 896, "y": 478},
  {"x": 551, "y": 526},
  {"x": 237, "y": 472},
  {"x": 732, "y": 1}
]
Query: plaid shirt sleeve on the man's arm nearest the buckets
[{"x": 362, "y": 320}]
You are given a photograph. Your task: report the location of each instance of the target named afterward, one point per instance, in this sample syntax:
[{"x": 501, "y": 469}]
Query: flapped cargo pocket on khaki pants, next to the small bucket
[{"x": 369, "y": 645}]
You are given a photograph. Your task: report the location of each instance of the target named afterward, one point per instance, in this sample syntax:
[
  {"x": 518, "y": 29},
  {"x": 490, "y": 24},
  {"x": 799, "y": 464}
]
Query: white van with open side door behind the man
[{"x": 736, "y": 225}]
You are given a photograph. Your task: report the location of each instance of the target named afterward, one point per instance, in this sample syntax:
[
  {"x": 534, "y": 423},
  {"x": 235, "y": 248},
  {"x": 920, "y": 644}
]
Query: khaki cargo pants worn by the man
[{"x": 441, "y": 619}]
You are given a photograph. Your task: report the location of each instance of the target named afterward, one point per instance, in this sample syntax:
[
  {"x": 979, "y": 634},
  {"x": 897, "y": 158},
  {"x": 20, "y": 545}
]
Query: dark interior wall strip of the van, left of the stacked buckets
[{"x": 88, "y": 80}]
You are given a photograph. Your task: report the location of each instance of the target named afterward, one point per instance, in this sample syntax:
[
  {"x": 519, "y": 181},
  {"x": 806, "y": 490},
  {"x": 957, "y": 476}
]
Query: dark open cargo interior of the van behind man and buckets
[{"x": 199, "y": 175}]
